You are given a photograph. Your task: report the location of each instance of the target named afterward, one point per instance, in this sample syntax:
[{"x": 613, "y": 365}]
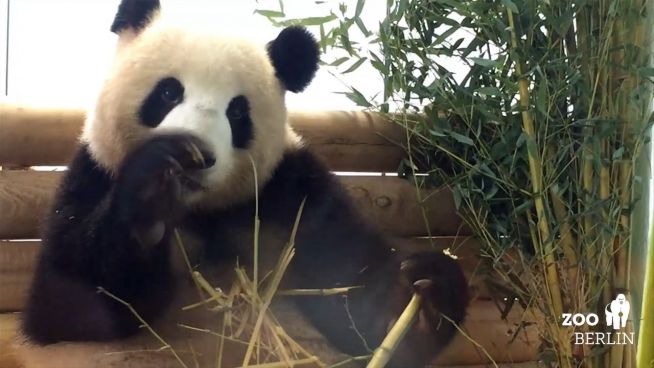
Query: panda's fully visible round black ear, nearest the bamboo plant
[{"x": 295, "y": 55}]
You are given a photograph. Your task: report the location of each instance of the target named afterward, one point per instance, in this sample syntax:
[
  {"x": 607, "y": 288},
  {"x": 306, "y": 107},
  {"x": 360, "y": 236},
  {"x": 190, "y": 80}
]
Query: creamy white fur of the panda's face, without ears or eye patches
[{"x": 213, "y": 68}]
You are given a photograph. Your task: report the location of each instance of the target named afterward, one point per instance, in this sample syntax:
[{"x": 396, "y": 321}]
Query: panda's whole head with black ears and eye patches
[{"x": 227, "y": 91}]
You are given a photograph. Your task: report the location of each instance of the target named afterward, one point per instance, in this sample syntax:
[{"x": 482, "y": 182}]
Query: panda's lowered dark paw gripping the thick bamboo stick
[{"x": 443, "y": 287}]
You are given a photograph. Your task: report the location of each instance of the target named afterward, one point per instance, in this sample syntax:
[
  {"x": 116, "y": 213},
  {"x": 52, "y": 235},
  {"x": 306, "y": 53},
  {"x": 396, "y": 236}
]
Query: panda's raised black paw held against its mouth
[{"x": 154, "y": 177}]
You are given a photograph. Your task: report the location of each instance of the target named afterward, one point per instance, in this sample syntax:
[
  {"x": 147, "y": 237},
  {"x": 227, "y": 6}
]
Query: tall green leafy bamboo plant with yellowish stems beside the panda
[{"x": 539, "y": 140}]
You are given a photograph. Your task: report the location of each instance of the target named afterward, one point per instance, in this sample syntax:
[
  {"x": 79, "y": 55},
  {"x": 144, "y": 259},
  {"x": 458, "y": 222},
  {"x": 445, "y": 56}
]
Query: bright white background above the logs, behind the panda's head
[{"x": 60, "y": 49}]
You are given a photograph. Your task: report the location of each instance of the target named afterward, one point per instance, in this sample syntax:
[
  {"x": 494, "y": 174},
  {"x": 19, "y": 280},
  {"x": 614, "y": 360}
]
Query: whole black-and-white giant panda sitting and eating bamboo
[{"x": 169, "y": 148}]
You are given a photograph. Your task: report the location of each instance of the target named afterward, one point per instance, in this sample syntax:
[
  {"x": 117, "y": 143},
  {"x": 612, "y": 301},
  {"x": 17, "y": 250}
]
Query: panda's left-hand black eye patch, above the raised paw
[{"x": 167, "y": 94}]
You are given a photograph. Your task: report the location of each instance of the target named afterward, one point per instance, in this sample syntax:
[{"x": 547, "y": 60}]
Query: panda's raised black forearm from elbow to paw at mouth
[{"x": 149, "y": 199}]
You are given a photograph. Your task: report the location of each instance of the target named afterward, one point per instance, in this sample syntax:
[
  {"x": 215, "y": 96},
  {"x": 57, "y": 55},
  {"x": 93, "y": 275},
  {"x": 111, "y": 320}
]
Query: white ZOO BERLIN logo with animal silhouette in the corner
[{"x": 616, "y": 313}]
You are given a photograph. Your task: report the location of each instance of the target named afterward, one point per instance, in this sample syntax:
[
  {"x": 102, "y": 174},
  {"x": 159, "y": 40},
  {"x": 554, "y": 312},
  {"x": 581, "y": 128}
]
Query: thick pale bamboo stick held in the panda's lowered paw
[{"x": 384, "y": 352}]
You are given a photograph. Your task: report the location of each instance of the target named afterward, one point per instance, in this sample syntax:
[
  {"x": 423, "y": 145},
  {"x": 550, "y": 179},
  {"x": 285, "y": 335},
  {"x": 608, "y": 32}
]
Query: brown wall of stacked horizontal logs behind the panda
[{"x": 346, "y": 141}]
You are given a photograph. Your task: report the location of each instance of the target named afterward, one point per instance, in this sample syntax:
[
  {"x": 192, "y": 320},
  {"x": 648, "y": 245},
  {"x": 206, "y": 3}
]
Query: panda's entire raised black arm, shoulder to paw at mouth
[{"x": 112, "y": 233}]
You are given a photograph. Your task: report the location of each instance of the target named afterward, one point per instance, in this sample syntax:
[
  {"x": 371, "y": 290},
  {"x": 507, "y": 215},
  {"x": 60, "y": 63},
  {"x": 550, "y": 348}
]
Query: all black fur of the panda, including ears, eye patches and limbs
[{"x": 115, "y": 229}]
